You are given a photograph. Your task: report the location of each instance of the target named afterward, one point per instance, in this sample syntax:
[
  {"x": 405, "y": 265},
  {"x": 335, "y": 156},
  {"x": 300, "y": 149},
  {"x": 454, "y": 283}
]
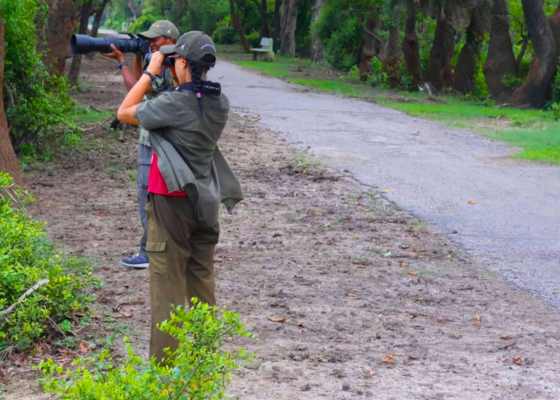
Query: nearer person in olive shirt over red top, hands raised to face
[{"x": 188, "y": 178}]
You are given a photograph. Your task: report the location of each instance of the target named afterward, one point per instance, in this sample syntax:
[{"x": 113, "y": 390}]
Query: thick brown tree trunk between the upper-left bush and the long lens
[{"x": 55, "y": 41}]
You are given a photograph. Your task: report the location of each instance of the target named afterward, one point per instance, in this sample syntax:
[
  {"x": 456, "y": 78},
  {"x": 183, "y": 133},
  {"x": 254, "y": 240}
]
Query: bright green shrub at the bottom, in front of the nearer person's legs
[{"x": 199, "y": 369}]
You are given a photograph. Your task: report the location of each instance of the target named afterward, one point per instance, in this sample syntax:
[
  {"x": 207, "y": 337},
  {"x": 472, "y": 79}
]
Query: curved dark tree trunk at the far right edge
[{"x": 538, "y": 84}]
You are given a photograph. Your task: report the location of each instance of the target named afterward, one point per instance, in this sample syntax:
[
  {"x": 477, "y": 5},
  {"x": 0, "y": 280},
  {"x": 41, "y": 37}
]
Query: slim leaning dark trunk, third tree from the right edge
[{"x": 467, "y": 64}]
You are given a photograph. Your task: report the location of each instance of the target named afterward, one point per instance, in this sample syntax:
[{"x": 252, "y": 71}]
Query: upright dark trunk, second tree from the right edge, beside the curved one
[{"x": 500, "y": 60}]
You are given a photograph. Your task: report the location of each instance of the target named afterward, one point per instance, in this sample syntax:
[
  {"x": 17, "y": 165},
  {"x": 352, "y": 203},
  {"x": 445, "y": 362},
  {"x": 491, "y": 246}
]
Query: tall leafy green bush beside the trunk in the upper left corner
[{"x": 37, "y": 103}]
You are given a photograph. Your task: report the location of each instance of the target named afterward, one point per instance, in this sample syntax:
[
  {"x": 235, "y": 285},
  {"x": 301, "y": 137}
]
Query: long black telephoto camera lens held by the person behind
[{"x": 84, "y": 44}]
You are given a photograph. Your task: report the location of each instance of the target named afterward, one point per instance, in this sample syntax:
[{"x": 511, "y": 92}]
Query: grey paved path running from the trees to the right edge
[{"x": 431, "y": 170}]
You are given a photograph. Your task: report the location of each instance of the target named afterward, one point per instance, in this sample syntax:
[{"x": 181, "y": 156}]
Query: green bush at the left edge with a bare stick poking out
[{"x": 26, "y": 258}]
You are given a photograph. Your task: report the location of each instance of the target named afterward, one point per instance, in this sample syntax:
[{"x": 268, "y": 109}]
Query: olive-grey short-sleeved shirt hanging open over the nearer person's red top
[{"x": 184, "y": 137}]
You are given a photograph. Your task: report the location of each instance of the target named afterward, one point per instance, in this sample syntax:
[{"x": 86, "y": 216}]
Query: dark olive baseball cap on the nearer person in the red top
[{"x": 195, "y": 46}]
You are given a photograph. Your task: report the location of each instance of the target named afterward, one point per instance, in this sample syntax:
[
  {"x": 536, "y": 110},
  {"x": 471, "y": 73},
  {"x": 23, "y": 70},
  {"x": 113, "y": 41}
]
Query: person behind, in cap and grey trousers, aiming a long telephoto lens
[{"x": 161, "y": 33}]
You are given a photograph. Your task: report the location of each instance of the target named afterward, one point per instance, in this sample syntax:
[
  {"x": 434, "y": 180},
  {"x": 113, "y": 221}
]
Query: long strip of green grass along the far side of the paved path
[{"x": 535, "y": 132}]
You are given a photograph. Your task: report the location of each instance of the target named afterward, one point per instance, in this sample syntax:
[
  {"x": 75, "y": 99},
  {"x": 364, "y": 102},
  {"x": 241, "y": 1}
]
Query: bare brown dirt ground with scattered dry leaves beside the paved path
[{"x": 378, "y": 305}]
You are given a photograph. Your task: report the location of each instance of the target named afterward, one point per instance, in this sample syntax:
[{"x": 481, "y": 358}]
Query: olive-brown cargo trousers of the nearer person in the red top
[{"x": 181, "y": 263}]
